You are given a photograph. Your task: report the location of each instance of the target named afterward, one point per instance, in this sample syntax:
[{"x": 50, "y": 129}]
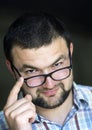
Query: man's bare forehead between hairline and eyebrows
[{"x": 40, "y": 57}]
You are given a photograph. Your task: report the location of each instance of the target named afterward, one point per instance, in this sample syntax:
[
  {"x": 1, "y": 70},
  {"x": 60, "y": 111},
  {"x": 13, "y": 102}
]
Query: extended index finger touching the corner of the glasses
[{"x": 14, "y": 92}]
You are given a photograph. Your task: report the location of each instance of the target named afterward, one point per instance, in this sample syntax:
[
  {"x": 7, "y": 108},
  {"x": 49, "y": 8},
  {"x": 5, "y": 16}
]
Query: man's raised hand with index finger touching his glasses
[{"x": 19, "y": 113}]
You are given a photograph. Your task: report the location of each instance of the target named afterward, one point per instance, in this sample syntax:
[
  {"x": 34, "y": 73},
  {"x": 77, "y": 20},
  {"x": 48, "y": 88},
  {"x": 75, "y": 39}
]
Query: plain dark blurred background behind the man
[{"x": 76, "y": 14}]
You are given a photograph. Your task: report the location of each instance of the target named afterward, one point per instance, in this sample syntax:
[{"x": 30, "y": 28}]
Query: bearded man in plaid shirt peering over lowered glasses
[{"x": 38, "y": 53}]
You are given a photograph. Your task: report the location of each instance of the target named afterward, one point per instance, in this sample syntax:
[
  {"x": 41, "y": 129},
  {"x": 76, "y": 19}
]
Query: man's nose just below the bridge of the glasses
[{"x": 49, "y": 83}]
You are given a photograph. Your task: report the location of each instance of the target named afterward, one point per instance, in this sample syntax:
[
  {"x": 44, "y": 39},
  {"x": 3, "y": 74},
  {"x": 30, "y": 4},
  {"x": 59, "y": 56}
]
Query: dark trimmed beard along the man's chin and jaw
[{"x": 41, "y": 102}]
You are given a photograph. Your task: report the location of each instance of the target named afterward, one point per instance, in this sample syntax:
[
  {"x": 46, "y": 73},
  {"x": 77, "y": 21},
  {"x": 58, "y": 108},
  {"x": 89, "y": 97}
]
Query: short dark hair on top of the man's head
[{"x": 34, "y": 31}]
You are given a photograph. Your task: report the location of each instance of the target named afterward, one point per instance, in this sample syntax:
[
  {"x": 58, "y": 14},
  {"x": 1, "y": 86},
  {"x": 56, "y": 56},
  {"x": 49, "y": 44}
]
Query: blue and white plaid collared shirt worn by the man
[{"x": 80, "y": 117}]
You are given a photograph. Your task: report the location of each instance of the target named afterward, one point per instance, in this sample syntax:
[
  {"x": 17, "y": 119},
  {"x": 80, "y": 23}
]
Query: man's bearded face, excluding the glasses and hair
[{"x": 31, "y": 62}]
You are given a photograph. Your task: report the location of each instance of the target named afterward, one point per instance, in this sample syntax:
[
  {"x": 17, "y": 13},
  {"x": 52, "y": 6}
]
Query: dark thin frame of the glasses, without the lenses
[{"x": 45, "y": 75}]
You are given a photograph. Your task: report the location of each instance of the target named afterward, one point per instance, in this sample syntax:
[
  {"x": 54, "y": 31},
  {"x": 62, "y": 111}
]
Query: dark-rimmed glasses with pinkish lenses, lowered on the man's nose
[{"x": 38, "y": 80}]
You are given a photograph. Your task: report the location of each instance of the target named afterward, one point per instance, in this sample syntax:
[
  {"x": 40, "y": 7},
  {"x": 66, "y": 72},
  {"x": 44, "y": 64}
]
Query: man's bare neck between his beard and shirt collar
[{"x": 64, "y": 109}]
